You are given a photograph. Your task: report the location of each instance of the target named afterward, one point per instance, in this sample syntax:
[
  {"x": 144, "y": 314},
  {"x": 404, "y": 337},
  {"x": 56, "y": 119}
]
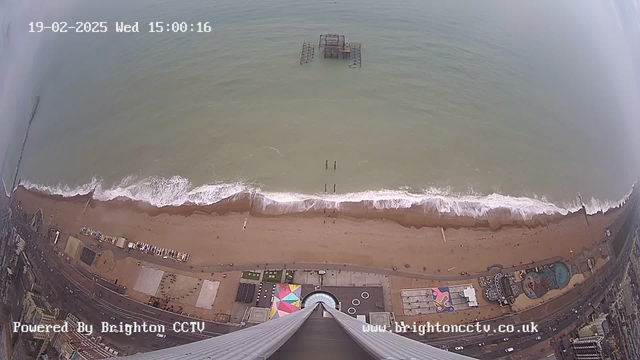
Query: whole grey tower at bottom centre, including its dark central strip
[{"x": 318, "y": 331}]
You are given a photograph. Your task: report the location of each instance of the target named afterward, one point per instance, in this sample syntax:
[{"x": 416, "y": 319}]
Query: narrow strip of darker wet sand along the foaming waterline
[{"x": 257, "y": 205}]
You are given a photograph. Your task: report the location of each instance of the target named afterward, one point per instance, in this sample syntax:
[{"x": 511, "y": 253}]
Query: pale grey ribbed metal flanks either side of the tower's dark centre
[{"x": 261, "y": 341}]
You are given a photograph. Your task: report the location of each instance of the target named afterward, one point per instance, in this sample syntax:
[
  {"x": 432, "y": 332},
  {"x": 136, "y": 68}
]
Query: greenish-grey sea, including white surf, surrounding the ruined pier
[{"x": 464, "y": 106}]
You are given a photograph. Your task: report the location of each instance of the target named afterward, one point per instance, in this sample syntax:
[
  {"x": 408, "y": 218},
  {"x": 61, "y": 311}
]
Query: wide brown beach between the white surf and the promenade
[{"x": 408, "y": 241}]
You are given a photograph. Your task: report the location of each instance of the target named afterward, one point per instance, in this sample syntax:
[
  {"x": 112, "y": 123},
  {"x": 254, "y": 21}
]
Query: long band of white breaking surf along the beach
[{"x": 177, "y": 191}]
